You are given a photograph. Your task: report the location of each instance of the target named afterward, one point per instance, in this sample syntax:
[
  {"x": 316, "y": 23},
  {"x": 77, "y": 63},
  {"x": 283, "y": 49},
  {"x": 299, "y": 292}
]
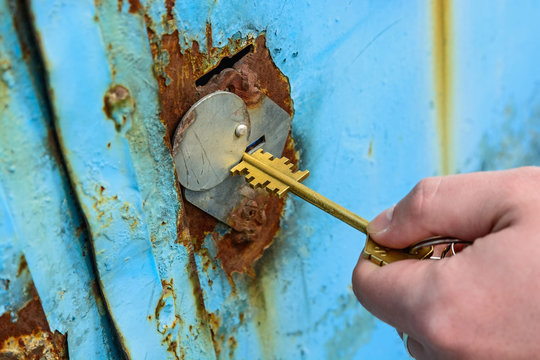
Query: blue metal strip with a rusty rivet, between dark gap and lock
[{"x": 96, "y": 116}]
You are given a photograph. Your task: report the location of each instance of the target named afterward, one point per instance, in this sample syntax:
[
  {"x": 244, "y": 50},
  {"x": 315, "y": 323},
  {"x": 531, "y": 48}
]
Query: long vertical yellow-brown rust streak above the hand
[{"x": 442, "y": 45}]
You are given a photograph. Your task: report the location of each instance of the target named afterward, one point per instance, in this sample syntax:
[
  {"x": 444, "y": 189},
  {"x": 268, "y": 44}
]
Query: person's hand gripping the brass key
[{"x": 484, "y": 302}]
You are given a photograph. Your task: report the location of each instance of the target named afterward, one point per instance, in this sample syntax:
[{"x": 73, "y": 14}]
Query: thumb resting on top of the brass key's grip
[{"x": 465, "y": 206}]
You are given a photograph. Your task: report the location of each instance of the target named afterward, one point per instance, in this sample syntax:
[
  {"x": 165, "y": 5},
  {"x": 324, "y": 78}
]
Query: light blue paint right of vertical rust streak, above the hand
[{"x": 498, "y": 101}]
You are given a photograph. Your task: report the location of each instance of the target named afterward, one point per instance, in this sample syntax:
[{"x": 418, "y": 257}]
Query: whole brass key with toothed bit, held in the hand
[{"x": 263, "y": 170}]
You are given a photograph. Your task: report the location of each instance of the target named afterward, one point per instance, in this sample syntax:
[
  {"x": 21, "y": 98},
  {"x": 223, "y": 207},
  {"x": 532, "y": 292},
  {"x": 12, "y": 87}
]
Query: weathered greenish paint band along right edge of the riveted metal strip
[{"x": 128, "y": 53}]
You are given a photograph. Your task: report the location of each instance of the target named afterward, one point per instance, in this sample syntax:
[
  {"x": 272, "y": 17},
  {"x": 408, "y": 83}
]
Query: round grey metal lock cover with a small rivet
[{"x": 210, "y": 139}]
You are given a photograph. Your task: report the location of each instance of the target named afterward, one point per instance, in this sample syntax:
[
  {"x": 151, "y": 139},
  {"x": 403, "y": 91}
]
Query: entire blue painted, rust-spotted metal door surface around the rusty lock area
[{"x": 367, "y": 89}]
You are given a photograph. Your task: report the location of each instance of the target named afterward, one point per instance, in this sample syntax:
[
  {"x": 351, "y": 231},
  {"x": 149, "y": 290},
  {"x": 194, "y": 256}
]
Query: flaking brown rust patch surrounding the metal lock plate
[{"x": 257, "y": 218}]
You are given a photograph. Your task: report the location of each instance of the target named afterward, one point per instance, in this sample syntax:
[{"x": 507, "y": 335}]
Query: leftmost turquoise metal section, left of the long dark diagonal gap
[{"x": 39, "y": 218}]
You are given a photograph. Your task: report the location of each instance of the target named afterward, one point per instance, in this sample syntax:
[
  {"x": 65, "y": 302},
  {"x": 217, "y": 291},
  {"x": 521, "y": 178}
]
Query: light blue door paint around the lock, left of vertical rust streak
[{"x": 358, "y": 76}]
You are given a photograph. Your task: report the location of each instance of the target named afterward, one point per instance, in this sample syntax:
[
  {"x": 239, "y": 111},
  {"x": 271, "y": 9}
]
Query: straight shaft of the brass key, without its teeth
[{"x": 310, "y": 196}]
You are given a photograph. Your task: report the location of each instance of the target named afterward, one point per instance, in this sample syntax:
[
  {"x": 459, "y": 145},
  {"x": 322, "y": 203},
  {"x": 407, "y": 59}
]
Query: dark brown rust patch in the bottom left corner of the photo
[{"x": 29, "y": 337}]
